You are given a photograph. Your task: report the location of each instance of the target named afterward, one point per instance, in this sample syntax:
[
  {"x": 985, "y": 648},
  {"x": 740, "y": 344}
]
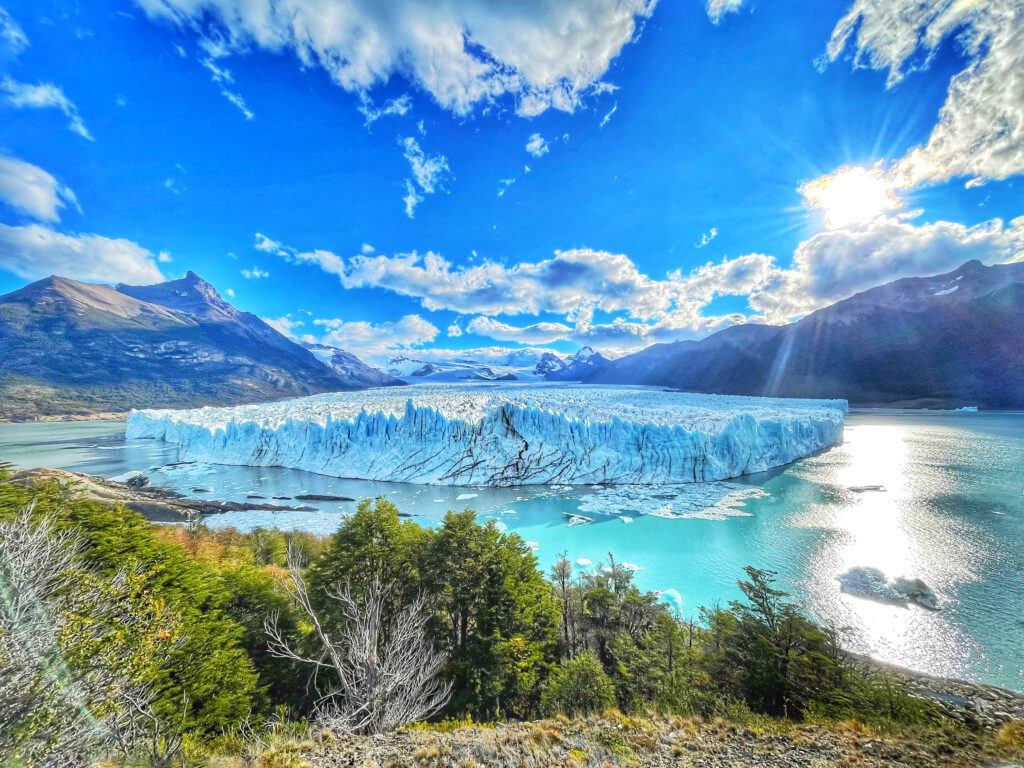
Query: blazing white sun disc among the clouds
[{"x": 851, "y": 196}]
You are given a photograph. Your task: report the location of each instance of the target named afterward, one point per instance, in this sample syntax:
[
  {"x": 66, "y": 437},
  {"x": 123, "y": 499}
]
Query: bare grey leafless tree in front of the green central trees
[{"x": 380, "y": 670}]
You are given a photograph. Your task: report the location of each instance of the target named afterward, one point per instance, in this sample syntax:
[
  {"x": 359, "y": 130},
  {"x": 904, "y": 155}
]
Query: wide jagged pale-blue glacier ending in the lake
[{"x": 506, "y": 436}]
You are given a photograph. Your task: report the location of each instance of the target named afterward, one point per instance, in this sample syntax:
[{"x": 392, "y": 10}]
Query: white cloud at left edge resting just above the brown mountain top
[{"x": 36, "y": 251}]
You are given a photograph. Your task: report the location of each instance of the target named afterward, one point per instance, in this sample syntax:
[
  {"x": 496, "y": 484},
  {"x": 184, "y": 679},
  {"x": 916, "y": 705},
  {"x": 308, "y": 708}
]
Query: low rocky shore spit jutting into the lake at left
[{"x": 159, "y": 505}]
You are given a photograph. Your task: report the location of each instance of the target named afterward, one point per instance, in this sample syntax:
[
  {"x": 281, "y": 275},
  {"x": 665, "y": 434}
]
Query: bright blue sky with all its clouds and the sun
[{"x": 357, "y": 172}]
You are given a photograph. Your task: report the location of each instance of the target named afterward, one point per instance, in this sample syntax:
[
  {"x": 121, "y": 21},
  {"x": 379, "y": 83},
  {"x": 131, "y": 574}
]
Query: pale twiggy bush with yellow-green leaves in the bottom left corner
[{"x": 79, "y": 655}]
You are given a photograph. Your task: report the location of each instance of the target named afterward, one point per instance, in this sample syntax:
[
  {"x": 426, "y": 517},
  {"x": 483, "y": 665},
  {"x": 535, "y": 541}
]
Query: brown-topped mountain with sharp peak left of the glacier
[{"x": 70, "y": 348}]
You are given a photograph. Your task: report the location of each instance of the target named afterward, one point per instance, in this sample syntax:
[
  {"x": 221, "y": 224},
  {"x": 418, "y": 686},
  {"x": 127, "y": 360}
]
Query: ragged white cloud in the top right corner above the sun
[{"x": 980, "y": 133}]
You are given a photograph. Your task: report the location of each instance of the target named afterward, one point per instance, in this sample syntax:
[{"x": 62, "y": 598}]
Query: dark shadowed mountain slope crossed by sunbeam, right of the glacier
[{"x": 950, "y": 340}]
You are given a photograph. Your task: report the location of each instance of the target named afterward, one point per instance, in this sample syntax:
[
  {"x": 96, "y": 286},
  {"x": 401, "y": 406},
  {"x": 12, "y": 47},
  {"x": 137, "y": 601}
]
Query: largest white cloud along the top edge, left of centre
[{"x": 464, "y": 53}]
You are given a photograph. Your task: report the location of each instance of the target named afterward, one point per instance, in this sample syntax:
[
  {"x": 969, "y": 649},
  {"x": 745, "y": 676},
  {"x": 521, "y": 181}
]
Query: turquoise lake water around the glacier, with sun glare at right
[{"x": 952, "y": 514}]
